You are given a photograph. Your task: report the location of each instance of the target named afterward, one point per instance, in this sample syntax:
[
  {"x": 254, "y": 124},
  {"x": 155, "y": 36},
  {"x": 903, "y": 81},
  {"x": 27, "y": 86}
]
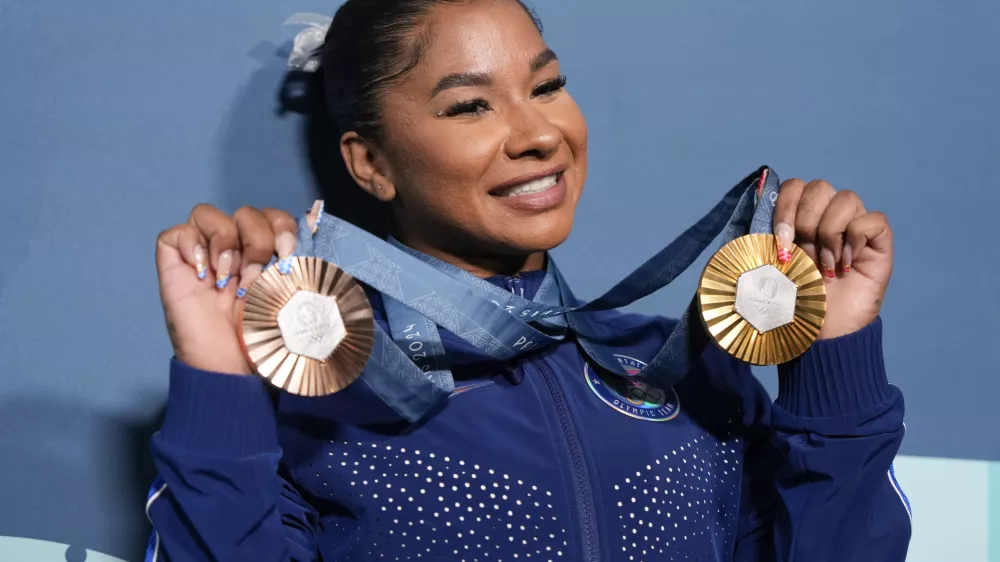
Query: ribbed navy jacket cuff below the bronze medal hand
[{"x": 218, "y": 414}]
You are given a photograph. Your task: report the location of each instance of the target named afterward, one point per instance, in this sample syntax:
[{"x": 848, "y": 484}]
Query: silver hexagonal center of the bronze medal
[{"x": 311, "y": 325}]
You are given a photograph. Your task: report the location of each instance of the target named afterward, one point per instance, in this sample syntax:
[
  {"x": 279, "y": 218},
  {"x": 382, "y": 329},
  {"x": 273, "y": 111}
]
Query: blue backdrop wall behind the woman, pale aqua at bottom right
[{"x": 117, "y": 117}]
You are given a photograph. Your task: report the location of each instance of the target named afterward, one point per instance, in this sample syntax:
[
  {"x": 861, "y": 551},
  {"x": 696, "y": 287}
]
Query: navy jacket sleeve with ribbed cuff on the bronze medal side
[{"x": 219, "y": 495}]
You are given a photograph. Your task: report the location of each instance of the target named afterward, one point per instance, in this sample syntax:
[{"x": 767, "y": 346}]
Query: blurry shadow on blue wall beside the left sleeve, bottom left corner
[{"x": 83, "y": 473}]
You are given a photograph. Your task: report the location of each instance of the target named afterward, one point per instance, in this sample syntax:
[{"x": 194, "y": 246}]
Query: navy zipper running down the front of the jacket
[{"x": 581, "y": 477}]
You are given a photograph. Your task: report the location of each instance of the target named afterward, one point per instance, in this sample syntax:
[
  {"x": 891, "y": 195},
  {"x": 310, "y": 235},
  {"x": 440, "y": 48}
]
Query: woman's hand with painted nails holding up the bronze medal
[{"x": 205, "y": 266}]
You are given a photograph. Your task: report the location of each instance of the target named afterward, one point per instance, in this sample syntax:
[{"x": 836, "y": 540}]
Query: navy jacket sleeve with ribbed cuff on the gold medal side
[{"x": 818, "y": 480}]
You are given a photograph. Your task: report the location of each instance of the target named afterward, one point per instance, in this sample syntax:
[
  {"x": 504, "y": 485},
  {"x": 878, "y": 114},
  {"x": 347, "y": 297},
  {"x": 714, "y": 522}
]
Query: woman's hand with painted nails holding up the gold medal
[{"x": 852, "y": 246}]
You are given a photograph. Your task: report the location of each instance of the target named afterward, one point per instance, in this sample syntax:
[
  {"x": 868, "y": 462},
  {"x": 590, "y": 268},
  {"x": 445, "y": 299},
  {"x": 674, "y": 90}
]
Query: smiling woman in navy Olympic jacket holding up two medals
[{"x": 455, "y": 114}]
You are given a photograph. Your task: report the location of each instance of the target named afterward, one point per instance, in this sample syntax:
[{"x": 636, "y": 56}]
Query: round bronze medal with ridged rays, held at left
[{"x": 309, "y": 332}]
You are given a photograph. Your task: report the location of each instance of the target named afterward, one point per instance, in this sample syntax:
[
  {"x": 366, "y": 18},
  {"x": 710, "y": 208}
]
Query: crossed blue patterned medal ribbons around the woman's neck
[{"x": 408, "y": 367}]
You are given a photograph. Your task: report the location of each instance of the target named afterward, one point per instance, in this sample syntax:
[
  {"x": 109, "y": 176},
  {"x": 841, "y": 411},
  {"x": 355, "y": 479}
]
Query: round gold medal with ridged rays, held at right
[{"x": 760, "y": 310}]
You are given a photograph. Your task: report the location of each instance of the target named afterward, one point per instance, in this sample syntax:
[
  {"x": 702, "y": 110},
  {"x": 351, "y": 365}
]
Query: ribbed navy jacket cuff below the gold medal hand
[{"x": 836, "y": 377}]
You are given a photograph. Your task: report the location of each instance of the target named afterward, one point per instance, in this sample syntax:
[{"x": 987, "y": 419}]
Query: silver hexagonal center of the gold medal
[{"x": 765, "y": 298}]
